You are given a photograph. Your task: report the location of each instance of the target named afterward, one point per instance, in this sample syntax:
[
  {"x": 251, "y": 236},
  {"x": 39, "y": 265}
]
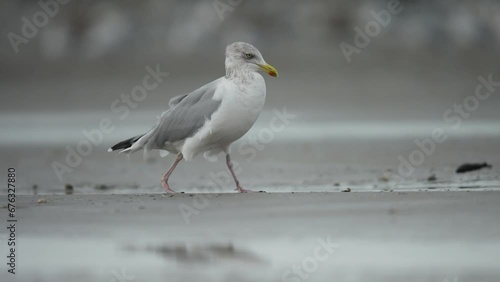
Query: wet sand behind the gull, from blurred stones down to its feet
[{"x": 353, "y": 122}]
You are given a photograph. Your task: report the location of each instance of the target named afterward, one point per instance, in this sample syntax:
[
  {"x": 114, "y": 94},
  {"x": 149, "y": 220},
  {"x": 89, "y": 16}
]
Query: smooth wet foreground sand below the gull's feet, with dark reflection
[{"x": 369, "y": 236}]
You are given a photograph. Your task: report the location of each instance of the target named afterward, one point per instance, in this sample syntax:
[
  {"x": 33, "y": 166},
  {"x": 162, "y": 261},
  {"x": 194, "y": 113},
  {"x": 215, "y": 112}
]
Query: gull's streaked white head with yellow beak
[{"x": 243, "y": 56}]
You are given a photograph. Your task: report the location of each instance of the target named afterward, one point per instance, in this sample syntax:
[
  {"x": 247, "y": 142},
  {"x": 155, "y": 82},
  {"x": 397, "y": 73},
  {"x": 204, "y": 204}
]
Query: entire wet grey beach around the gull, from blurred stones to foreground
[{"x": 353, "y": 123}]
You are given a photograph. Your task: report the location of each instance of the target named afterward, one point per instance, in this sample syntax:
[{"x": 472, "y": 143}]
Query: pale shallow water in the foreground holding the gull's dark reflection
[{"x": 312, "y": 259}]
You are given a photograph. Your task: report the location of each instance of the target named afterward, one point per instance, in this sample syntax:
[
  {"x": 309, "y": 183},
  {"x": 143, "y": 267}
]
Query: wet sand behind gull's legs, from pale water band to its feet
[{"x": 306, "y": 156}]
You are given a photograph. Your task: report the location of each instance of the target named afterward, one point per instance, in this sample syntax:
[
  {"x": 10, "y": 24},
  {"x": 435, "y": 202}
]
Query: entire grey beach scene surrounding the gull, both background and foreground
[{"x": 354, "y": 122}]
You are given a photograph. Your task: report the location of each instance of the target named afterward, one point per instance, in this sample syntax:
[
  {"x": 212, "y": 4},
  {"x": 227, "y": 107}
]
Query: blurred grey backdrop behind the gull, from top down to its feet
[{"x": 64, "y": 65}]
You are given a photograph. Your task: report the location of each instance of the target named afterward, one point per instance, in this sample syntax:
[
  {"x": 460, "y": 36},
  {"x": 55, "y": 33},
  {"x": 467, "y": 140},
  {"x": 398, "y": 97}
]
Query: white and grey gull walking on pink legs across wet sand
[{"x": 209, "y": 119}]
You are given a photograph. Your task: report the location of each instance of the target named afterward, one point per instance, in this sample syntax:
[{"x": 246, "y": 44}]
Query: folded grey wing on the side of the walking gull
[{"x": 186, "y": 116}]
